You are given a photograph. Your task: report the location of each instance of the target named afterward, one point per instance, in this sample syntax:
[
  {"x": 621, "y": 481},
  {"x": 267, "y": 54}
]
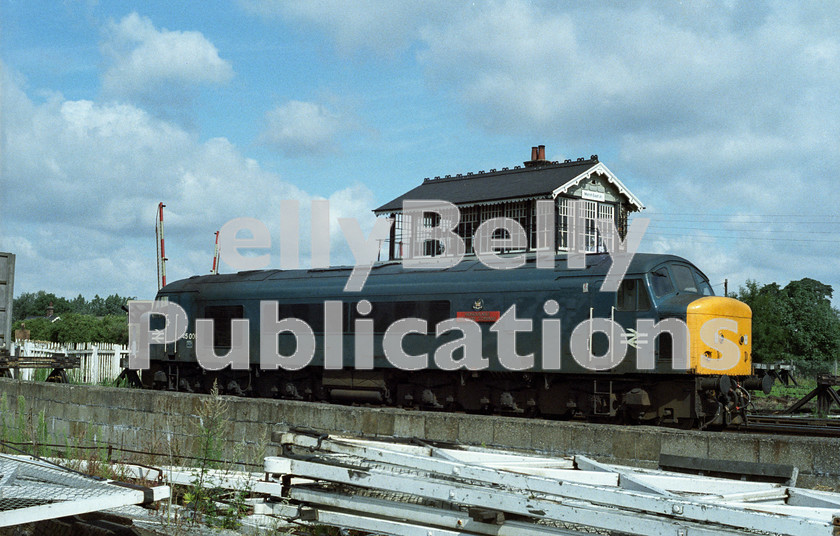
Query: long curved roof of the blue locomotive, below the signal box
[{"x": 596, "y": 265}]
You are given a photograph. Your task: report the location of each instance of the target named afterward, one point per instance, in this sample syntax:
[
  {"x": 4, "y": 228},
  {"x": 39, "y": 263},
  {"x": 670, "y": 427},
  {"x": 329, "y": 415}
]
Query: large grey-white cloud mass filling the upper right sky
[{"x": 582, "y": 71}]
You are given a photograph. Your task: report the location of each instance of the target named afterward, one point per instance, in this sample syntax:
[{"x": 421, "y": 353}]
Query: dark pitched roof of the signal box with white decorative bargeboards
[{"x": 532, "y": 182}]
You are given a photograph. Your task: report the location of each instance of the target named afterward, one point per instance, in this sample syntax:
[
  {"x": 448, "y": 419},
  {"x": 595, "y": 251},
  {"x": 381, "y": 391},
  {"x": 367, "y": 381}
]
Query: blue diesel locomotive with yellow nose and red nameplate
[{"x": 531, "y": 314}]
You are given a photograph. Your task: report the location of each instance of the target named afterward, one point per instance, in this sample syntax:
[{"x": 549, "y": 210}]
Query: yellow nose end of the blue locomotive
[{"x": 721, "y": 336}]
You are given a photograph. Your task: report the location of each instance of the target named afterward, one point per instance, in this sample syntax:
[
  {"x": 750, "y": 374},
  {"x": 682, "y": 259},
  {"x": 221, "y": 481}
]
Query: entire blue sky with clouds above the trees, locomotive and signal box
[{"x": 722, "y": 117}]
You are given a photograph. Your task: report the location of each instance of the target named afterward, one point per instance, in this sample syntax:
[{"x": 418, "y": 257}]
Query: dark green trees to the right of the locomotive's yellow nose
[{"x": 793, "y": 324}]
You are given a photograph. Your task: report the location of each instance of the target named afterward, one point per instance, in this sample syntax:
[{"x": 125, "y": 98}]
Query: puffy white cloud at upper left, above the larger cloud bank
[{"x": 158, "y": 66}]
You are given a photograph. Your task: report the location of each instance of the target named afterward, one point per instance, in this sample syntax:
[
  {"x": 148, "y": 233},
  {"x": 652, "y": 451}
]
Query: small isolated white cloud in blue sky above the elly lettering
[{"x": 302, "y": 128}]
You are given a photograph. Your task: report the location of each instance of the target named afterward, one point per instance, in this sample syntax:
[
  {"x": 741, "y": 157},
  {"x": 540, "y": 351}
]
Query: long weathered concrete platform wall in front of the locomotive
[{"x": 170, "y": 423}]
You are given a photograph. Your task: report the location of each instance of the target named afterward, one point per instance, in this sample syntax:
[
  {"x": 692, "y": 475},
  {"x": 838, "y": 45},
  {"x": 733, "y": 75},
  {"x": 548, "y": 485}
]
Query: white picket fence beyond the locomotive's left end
[{"x": 99, "y": 362}]
